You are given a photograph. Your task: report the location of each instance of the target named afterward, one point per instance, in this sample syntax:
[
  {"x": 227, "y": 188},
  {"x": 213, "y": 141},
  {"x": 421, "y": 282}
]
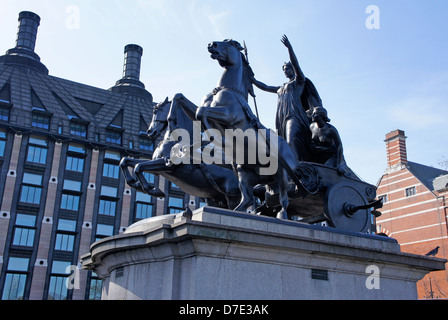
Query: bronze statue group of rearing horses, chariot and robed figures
[{"x": 312, "y": 174}]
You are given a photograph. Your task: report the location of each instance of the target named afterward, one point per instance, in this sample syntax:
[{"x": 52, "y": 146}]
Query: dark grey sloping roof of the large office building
[{"x": 65, "y": 99}]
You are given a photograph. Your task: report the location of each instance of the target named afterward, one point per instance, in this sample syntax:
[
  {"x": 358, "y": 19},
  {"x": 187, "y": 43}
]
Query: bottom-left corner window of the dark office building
[{"x": 15, "y": 279}]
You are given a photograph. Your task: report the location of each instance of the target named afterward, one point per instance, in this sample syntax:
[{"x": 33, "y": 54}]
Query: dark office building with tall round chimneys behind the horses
[{"x": 60, "y": 146}]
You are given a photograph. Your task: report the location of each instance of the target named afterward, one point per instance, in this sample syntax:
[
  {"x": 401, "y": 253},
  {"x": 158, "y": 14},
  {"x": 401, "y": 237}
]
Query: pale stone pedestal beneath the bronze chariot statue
[{"x": 224, "y": 255}]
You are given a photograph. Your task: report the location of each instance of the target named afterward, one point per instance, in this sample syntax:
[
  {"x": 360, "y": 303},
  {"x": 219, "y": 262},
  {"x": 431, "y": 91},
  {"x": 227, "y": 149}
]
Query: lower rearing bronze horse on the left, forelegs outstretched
[{"x": 217, "y": 185}]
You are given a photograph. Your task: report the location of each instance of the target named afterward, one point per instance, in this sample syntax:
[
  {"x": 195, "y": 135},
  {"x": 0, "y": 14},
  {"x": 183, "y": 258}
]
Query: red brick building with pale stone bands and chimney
[{"x": 415, "y": 210}]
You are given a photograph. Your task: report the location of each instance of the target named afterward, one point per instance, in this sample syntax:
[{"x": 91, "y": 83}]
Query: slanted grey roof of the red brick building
[{"x": 434, "y": 179}]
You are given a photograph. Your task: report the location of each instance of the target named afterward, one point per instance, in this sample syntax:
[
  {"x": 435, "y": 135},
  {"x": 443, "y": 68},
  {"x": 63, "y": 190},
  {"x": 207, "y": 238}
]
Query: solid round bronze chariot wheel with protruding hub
[{"x": 346, "y": 208}]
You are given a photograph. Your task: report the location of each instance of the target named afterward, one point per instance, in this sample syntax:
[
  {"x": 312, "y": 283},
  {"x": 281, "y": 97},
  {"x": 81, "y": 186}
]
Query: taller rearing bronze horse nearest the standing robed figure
[{"x": 227, "y": 108}]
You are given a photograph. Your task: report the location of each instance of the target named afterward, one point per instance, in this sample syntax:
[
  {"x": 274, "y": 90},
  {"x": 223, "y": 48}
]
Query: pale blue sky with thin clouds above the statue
[{"x": 371, "y": 81}]
